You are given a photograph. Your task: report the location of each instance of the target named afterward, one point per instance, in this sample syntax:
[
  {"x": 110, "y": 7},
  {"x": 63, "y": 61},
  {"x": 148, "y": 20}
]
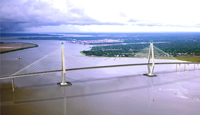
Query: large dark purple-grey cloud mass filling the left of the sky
[{"x": 22, "y": 14}]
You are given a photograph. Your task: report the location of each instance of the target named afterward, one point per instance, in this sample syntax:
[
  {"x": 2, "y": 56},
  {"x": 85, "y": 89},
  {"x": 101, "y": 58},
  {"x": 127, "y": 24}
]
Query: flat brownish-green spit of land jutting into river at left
[{"x": 14, "y": 46}]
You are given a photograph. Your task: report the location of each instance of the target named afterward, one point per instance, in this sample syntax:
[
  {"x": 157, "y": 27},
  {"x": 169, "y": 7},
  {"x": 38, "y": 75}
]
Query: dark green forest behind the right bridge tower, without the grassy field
[{"x": 174, "y": 48}]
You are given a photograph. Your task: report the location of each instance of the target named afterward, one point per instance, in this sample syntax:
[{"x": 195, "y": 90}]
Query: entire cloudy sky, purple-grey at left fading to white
[{"x": 32, "y": 16}]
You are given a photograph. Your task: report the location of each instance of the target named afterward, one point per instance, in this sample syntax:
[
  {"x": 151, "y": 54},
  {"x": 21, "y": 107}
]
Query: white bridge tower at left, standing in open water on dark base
[{"x": 63, "y": 83}]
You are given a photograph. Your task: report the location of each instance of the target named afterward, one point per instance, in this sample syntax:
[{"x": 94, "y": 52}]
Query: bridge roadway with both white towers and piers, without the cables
[{"x": 63, "y": 70}]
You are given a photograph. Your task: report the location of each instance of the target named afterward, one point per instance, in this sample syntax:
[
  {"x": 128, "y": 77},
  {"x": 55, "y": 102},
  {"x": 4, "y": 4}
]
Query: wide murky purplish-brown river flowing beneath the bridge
[{"x": 109, "y": 91}]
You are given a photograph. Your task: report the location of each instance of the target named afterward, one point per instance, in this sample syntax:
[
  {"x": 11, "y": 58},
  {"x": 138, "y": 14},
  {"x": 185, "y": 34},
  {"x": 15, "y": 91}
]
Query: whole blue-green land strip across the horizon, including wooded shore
[{"x": 182, "y": 45}]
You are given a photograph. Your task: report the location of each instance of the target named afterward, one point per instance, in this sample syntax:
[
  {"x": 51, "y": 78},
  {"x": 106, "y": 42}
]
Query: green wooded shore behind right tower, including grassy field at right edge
[{"x": 181, "y": 50}]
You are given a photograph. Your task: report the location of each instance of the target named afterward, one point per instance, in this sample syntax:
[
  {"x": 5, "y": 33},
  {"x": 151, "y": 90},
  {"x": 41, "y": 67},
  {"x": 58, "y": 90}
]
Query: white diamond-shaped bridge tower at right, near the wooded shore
[{"x": 151, "y": 55}]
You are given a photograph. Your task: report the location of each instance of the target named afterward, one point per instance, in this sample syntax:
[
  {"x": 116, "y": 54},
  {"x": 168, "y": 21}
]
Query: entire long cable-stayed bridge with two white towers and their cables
[{"x": 29, "y": 70}]
